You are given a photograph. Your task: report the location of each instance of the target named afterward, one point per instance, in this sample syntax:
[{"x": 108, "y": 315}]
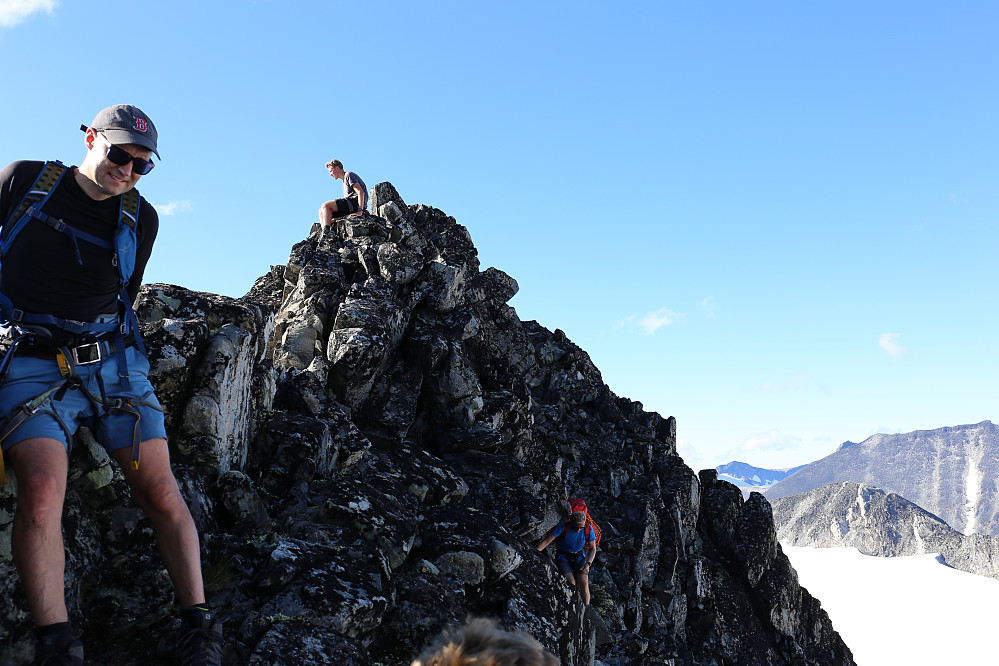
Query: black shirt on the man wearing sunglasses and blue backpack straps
[{"x": 41, "y": 273}]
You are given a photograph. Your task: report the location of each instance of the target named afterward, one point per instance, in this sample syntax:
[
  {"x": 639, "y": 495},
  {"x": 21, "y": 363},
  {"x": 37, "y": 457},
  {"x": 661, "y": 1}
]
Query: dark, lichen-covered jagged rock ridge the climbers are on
[{"x": 371, "y": 442}]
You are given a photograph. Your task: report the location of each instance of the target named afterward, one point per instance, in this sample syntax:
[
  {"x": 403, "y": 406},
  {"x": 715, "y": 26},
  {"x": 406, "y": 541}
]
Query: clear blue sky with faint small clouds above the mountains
[{"x": 774, "y": 221}]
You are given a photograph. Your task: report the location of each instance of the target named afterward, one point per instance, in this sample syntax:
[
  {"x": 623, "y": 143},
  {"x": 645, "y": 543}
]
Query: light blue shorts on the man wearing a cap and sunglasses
[{"x": 30, "y": 377}]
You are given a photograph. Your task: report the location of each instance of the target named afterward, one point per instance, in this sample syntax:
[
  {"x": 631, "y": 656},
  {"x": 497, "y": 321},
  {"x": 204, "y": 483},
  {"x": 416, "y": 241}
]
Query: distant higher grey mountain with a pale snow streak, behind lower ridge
[{"x": 950, "y": 472}]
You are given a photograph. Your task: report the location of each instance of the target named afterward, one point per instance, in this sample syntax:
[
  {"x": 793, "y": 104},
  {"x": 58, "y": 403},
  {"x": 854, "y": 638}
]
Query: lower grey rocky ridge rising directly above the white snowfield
[{"x": 879, "y": 524}]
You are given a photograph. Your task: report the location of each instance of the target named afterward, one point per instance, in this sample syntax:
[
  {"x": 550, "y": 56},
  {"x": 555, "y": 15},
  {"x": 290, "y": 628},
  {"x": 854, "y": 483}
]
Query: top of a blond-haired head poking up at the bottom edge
[{"x": 482, "y": 643}]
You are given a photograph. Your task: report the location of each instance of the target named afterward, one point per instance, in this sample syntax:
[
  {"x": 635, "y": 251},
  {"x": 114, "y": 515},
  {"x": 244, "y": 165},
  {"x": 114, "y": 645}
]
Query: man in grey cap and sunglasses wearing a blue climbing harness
[{"x": 73, "y": 255}]
